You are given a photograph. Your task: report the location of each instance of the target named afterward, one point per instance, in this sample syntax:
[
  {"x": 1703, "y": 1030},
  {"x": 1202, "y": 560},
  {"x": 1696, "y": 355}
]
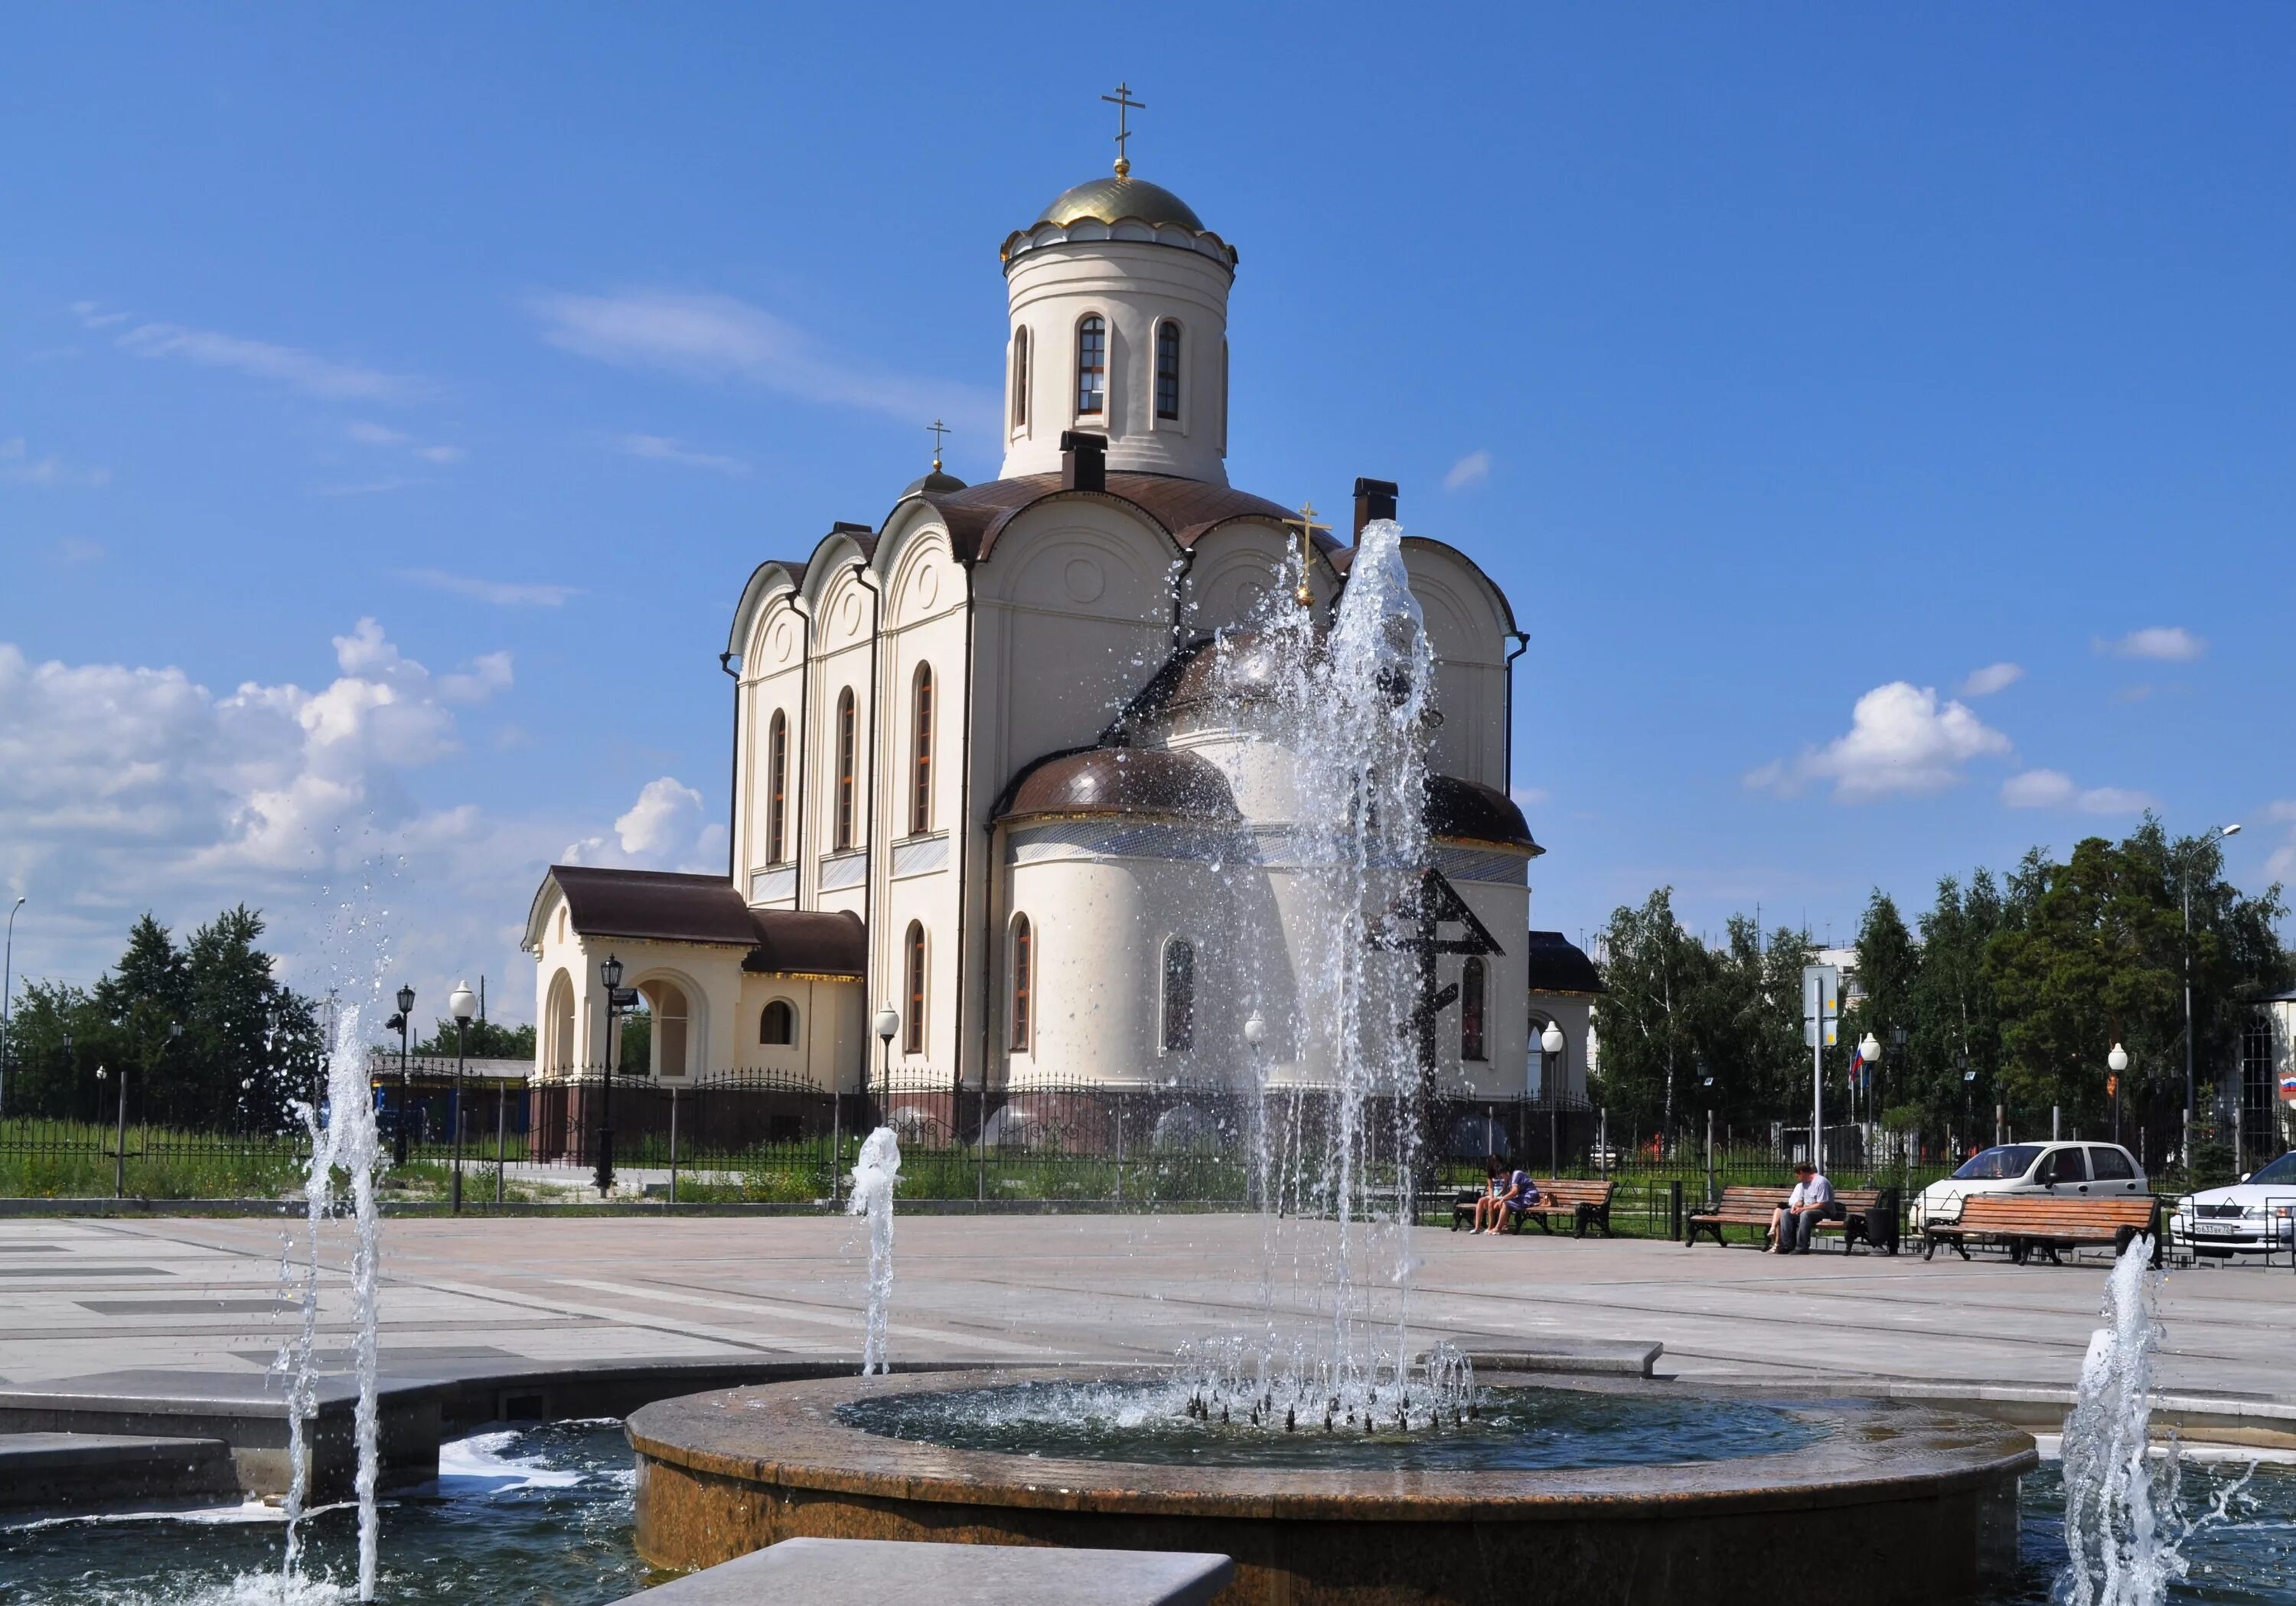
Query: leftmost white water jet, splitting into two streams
[{"x": 343, "y": 1138}]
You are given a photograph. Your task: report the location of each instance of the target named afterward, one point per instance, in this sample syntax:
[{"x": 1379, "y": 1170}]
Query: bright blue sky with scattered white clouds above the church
[{"x": 1882, "y": 422}]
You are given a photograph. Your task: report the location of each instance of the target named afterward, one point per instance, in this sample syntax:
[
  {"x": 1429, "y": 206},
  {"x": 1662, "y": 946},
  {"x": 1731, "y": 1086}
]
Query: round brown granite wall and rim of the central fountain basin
[{"x": 1895, "y": 1506}]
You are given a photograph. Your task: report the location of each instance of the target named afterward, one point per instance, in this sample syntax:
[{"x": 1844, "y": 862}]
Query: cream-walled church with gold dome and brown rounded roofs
[{"x": 984, "y": 805}]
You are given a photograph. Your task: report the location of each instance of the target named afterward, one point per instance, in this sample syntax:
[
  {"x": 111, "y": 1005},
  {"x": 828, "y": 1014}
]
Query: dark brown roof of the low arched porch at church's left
[{"x": 665, "y": 906}]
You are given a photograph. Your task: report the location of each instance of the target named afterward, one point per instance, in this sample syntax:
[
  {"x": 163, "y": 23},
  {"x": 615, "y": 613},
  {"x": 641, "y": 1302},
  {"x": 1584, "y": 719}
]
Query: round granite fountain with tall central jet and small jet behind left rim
[{"x": 1351, "y": 1465}]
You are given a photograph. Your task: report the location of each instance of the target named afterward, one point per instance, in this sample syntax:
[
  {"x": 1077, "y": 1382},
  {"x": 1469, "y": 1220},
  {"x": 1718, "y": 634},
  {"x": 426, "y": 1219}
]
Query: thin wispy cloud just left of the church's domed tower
[{"x": 706, "y": 337}]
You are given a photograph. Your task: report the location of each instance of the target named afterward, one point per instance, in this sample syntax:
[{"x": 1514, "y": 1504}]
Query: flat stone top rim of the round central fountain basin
[{"x": 786, "y": 1435}]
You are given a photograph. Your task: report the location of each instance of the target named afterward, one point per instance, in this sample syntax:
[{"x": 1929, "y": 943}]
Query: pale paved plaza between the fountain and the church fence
[{"x": 98, "y": 1297}]
